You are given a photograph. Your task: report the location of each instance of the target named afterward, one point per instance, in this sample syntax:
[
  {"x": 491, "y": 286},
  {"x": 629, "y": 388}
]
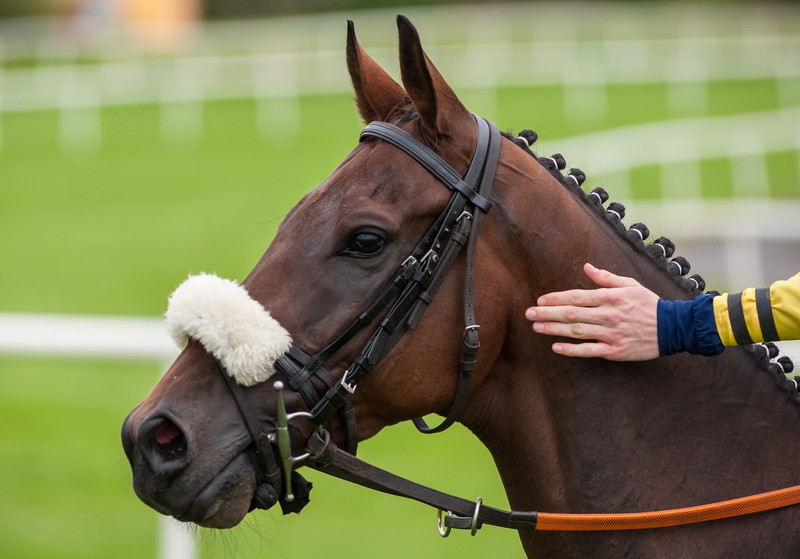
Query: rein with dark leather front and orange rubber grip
[{"x": 466, "y": 514}]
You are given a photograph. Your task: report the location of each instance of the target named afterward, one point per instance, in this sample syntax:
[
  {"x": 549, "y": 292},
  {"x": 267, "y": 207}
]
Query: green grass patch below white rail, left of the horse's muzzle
[{"x": 64, "y": 482}]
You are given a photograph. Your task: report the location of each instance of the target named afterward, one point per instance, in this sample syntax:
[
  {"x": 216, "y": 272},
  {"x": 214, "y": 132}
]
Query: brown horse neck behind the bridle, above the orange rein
[{"x": 589, "y": 435}]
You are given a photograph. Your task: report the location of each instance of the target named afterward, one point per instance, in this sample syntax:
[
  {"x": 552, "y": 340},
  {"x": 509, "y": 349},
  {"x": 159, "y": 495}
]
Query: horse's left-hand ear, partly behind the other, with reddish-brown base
[{"x": 377, "y": 94}]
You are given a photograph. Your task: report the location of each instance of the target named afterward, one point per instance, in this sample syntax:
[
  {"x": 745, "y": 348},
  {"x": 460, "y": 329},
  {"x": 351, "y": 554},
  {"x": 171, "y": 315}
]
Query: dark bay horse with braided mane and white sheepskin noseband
[{"x": 271, "y": 365}]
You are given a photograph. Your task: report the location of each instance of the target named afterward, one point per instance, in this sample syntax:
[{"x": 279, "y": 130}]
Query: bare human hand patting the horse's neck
[{"x": 620, "y": 318}]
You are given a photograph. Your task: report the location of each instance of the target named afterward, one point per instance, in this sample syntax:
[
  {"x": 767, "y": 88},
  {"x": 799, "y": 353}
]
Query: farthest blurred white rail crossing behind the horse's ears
[{"x": 285, "y": 73}]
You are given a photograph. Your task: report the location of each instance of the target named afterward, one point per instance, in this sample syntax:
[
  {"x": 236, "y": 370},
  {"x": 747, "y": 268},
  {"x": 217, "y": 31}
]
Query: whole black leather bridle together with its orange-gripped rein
[{"x": 406, "y": 296}]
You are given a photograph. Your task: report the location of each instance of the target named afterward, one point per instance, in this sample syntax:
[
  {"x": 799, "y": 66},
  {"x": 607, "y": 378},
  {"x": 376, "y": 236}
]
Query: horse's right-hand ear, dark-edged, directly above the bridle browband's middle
[{"x": 436, "y": 102}]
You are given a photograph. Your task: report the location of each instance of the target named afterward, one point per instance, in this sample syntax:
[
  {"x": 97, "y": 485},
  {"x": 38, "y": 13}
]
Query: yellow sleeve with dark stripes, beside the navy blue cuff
[{"x": 759, "y": 314}]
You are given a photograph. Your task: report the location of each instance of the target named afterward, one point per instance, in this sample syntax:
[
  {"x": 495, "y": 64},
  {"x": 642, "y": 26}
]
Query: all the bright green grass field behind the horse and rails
[{"x": 113, "y": 232}]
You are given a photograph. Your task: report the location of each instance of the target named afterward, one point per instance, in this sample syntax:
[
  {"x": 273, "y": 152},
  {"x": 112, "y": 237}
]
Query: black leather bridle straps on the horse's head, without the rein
[{"x": 407, "y": 294}]
